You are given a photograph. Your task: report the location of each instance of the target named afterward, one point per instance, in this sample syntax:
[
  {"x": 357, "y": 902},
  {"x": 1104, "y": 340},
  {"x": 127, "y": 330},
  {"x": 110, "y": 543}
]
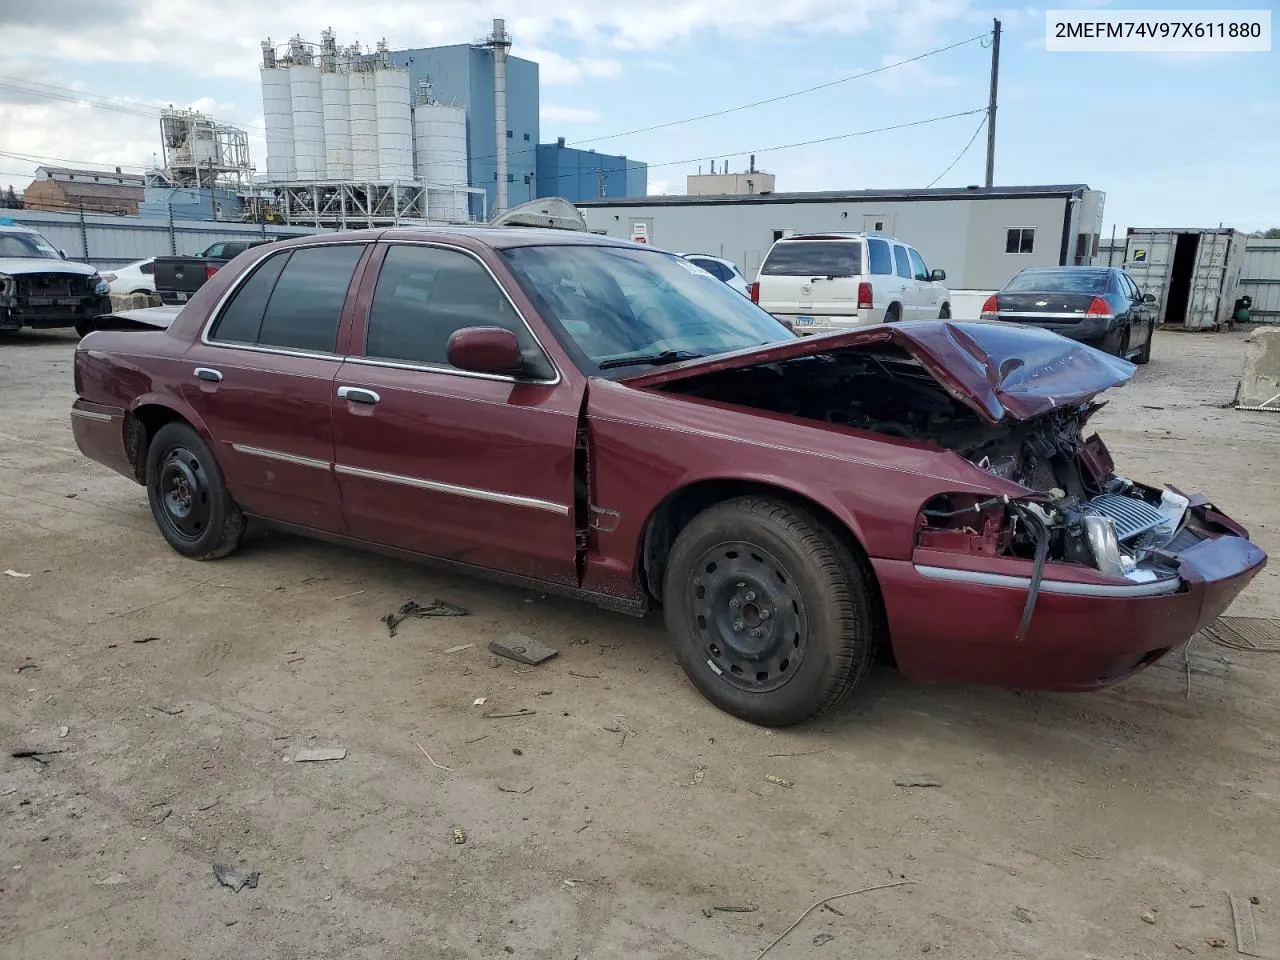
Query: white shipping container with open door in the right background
[{"x": 1195, "y": 273}]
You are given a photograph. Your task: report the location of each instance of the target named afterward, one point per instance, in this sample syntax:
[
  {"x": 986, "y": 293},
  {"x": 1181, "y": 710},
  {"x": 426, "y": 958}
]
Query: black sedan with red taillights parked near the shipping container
[{"x": 1099, "y": 305}]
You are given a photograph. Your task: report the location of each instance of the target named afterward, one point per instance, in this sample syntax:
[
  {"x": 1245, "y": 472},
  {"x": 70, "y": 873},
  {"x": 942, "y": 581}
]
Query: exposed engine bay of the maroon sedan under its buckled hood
[{"x": 1081, "y": 513}]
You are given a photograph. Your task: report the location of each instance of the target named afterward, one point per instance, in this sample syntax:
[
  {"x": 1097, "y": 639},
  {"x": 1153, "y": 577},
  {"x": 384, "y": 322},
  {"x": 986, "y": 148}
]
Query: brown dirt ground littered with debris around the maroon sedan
[{"x": 186, "y": 689}]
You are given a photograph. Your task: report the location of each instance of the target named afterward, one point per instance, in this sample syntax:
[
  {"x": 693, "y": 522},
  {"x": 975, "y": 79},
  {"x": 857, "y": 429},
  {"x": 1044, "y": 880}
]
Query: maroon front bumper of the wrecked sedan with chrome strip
[{"x": 1085, "y": 634}]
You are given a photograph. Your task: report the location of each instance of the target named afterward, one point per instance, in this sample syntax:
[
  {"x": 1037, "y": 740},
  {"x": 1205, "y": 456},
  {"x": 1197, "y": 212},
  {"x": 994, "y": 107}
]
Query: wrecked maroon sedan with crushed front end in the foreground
[{"x": 601, "y": 419}]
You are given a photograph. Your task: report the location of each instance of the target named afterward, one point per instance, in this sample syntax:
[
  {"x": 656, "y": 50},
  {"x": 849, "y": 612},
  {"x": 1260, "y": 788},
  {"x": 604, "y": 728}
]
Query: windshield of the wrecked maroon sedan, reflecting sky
[{"x": 619, "y": 308}]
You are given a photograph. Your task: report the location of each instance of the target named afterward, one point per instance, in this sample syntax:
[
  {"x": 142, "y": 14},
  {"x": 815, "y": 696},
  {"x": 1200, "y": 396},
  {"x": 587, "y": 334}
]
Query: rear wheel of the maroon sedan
[{"x": 189, "y": 497}]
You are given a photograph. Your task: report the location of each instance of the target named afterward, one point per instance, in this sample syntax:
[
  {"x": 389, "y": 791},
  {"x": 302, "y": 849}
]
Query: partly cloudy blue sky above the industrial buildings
[{"x": 1173, "y": 140}]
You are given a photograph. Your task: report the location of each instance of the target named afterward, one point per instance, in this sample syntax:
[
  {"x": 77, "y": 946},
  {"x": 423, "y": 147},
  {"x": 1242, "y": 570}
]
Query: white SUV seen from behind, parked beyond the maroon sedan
[{"x": 829, "y": 282}]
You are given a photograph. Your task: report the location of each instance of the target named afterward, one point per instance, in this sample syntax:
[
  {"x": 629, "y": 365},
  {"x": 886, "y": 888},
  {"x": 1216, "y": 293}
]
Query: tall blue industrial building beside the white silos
[{"x": 463, "y": 75}]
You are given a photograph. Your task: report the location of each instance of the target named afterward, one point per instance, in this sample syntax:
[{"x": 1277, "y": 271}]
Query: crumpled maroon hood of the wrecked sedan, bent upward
[{"x": 1004, "y": 372}]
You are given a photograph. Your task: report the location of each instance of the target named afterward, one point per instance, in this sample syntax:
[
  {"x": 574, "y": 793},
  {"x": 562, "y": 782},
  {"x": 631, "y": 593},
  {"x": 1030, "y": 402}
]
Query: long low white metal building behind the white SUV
[{"x": 981, "y": 236}]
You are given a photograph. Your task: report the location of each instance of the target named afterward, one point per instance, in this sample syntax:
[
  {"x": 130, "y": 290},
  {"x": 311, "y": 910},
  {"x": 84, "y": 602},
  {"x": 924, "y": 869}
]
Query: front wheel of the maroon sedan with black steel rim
[{"x": 772, "y": 618}]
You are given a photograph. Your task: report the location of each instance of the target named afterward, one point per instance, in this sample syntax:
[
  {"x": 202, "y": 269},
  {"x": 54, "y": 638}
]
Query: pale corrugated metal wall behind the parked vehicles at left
[{"x": 115, "y": 241}]
